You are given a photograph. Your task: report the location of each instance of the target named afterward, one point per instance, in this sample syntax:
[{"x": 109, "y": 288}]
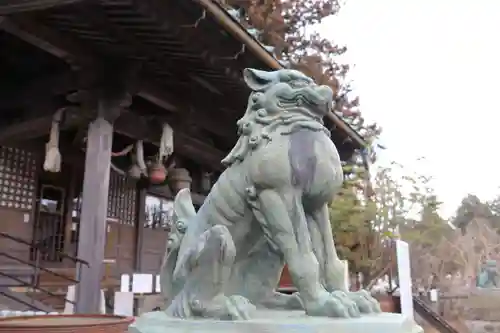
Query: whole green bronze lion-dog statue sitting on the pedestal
[{"x": 268, "y": 208}]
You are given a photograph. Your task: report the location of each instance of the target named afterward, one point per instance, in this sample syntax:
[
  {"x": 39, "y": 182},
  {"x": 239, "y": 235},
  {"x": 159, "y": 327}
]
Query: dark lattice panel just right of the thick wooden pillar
[{"x": 121, "y": 199}]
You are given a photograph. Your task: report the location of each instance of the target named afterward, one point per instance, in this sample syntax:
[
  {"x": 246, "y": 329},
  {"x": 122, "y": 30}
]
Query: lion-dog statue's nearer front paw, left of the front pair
[{"x": 335, "y": 304}]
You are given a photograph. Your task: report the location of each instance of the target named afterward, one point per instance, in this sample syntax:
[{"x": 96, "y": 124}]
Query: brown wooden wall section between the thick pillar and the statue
[{"x": 135, "y": 243}]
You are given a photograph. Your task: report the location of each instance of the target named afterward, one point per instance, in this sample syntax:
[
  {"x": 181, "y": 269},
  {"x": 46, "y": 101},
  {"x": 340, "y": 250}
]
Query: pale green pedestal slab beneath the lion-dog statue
[{"x": 275, "y": 321}]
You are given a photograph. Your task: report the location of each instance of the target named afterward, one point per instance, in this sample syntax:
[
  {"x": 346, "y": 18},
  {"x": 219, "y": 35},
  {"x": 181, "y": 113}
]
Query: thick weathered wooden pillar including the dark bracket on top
[{"x": 105, "y": 89}]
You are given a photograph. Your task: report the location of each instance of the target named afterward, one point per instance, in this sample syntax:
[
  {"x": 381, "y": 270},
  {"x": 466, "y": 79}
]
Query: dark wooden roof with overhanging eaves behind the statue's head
[{"x": 191, "y": 55}]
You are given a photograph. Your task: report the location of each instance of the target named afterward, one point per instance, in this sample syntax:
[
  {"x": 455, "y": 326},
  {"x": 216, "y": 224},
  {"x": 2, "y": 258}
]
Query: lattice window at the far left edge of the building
[{"x": 17, "y": 178}]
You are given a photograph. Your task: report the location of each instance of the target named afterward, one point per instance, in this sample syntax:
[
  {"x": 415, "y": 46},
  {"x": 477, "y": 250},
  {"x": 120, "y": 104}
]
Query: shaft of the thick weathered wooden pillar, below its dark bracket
[{"x": 92, "y": 237}]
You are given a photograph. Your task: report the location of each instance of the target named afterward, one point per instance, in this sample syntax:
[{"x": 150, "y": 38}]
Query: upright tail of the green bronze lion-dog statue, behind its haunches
[{"x": 183, "y": 213}]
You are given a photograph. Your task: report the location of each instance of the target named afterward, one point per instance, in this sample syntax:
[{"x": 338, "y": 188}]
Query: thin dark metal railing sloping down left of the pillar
[{"x": 34, "y": 284}]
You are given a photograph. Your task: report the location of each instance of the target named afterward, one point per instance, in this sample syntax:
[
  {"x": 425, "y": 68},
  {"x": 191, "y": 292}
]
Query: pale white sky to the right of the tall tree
[{"x": 427, "y": 72}]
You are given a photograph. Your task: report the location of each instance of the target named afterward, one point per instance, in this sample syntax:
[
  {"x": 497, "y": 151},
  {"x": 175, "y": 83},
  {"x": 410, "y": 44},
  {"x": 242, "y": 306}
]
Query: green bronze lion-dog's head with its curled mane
[{"x": 281, "y": 101}]
